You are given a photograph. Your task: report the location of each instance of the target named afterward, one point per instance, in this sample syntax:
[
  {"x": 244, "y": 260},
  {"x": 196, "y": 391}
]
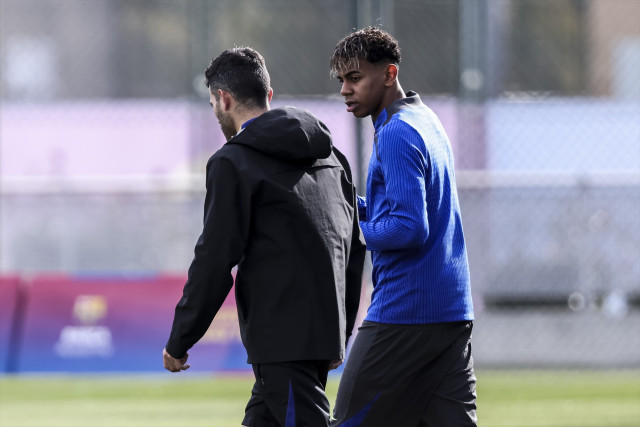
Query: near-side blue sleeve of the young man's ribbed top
[{"x": 403, "y": 157}]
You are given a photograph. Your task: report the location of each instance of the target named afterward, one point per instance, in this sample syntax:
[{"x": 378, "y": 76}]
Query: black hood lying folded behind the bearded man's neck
[{"x": 288, "y": 134}]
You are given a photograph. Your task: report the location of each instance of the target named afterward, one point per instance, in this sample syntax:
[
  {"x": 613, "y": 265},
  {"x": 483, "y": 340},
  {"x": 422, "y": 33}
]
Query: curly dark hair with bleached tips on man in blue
[{"x": 371, "y": 44}]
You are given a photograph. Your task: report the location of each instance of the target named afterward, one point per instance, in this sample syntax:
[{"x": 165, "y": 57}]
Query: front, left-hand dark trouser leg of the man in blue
[{"x": 393, "y": 371}]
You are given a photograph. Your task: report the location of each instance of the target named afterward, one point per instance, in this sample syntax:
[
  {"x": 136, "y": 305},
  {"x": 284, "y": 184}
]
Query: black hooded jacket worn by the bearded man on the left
[{"x": 281, "y": 205}]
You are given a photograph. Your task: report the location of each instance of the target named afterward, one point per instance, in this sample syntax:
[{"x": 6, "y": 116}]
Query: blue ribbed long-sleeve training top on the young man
[{"x": 411, "y": 221}]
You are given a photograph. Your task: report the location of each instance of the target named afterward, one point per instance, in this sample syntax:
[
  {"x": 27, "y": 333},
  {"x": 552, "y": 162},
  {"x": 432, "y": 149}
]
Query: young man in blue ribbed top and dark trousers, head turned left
[{"x": 410, "y": 364}]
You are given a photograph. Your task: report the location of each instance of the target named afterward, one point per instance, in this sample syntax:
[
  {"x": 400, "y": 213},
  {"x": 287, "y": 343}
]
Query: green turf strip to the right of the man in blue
[{"x": 559, "y": 398}]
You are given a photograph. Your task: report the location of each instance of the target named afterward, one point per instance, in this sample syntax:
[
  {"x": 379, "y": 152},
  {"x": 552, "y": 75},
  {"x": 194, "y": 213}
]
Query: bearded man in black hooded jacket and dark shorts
[{"x": 280, "y": 205}]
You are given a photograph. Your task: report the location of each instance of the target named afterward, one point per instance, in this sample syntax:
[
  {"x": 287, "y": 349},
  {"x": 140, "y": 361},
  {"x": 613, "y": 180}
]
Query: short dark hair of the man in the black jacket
[{"x": 242, "y": 72}]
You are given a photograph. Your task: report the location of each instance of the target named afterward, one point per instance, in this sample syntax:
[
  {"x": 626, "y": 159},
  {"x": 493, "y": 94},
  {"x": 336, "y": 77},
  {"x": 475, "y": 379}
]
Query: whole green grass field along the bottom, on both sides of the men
[{"x": 505, "y": 398}]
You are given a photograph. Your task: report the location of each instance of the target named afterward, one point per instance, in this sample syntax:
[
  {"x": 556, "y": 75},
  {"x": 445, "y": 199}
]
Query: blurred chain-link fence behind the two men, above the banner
[{"x": 105, "y": 130}]
